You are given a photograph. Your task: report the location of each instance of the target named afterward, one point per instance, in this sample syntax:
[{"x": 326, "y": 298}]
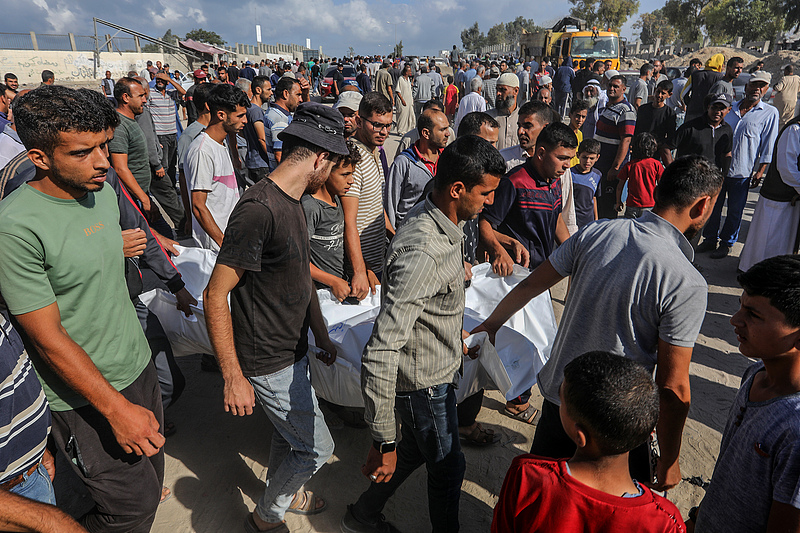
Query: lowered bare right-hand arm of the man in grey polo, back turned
[{"x": 672, "y": 379}]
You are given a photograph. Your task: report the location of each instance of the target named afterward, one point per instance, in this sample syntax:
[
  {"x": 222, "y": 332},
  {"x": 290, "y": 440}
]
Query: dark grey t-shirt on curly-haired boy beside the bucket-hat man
[{"x": 326, "y": 234}]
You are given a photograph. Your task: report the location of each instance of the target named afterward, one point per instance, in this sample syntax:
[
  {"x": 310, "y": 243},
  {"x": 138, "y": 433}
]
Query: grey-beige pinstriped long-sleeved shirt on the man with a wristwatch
[{"x": 416, "y": 340}]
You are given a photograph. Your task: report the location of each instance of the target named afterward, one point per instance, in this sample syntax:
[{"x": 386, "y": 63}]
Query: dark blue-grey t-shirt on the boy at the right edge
[{"x": 758, "y": 463}]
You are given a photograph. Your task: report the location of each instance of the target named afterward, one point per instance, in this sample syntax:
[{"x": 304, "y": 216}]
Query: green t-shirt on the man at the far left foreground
[{"x": 70, "y": 252}]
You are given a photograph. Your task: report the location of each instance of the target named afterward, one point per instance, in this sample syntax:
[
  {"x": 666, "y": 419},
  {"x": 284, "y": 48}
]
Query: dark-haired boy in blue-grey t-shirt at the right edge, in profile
[{"x": 756, "y": 482}]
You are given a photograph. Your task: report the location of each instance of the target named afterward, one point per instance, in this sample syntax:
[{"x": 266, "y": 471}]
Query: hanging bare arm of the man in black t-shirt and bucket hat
[{"x": 239, "y": 397}]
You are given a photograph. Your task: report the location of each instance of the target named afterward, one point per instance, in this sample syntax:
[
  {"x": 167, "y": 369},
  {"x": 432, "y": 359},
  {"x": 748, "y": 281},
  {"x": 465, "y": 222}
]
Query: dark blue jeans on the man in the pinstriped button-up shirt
[{"x": 429, "y": 427}]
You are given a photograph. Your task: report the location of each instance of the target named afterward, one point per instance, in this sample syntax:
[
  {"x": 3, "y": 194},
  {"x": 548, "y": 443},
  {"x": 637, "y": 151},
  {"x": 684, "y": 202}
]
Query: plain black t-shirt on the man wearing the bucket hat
[{"x": 267, "y": 237}]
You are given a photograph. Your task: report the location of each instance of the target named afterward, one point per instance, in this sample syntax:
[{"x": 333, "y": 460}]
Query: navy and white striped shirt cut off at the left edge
[{"x": 24, "y": 412}]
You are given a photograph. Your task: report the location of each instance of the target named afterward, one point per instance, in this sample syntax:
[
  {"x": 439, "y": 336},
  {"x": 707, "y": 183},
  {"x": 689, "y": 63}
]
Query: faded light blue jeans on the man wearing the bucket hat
[{"x": 301, "y": 442}]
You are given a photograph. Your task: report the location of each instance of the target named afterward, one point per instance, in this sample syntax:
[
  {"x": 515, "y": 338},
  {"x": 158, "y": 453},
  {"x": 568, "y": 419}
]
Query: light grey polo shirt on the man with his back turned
[{"x": 633, "y": 283}]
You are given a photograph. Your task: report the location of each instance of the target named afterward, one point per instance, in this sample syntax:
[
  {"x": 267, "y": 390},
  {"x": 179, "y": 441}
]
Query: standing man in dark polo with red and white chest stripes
[{"x": 614, "y": 129}]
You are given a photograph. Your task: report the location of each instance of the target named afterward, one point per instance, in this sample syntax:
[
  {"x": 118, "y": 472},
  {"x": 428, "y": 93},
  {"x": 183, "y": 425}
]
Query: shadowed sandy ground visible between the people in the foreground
[{"x": 216, "y": 463}]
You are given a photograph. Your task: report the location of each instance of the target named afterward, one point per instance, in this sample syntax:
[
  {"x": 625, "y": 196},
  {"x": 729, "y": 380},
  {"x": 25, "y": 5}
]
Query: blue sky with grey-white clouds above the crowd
[{"x": 424, "y": 26}]
